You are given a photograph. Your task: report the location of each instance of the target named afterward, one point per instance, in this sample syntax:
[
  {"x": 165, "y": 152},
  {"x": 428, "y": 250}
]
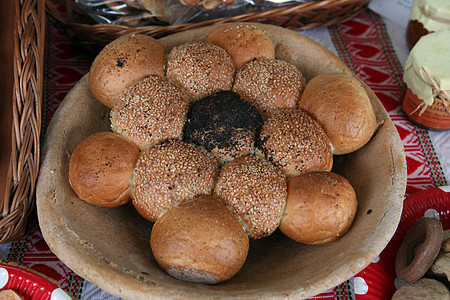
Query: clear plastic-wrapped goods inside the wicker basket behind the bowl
[{"x": 147, "y": 12}]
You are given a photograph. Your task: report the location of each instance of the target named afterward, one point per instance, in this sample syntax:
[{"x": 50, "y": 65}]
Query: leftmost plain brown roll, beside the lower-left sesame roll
[{"x": 101, "y": 167}]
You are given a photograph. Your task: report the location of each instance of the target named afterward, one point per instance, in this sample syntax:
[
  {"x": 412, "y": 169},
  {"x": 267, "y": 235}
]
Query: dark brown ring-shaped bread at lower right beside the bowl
[{"x": 418, "y": 250}]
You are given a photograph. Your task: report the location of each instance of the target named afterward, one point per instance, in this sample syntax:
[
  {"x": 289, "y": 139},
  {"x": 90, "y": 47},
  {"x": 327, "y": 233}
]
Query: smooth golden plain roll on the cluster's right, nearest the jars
[{"x": 342, "y": 107}]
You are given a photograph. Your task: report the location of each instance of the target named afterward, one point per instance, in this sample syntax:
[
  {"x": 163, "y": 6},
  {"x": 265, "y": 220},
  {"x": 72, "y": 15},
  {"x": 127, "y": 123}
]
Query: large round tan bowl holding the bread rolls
[{"x": 110, "y": 246}]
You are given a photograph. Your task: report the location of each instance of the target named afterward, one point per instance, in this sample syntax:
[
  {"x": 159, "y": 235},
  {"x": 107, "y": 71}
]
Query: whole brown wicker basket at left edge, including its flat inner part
[{"x": 21, "y": 112}]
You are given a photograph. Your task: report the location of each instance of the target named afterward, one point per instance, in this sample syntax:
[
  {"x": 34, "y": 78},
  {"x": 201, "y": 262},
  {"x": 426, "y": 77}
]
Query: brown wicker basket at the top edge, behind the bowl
[{"x": 314, "y": 14}]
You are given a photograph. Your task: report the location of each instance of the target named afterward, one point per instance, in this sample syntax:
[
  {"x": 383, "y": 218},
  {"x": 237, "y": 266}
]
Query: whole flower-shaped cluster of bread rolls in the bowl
[{"x": 221, "y": 142}]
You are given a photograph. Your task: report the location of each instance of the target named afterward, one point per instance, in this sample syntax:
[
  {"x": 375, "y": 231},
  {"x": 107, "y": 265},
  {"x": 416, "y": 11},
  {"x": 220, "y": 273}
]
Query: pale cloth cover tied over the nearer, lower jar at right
[{"x": 429, "y": 58}]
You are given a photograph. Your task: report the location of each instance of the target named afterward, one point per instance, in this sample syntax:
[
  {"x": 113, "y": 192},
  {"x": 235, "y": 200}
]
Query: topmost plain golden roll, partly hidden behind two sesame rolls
[{"x": 243, "y": 42}]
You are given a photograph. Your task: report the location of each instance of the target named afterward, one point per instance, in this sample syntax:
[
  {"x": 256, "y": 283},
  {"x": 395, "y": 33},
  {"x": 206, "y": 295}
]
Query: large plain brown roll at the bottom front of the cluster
[{"x": 200, "y": 241}]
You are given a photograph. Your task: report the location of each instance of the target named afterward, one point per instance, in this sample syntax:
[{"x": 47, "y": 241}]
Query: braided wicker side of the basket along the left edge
[{"x": 26, "y": 129}]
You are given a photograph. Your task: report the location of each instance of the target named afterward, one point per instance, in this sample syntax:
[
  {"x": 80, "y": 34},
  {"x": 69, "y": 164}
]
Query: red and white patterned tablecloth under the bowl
[{"x": 373, "y": 47}]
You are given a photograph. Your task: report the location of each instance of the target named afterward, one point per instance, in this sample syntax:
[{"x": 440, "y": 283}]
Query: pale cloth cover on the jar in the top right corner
[{"x": 433, "y": 14}]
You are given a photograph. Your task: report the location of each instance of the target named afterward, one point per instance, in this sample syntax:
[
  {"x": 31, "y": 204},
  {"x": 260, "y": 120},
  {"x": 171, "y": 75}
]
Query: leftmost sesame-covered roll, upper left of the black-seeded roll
[{"x": 150, "y": 111}]
